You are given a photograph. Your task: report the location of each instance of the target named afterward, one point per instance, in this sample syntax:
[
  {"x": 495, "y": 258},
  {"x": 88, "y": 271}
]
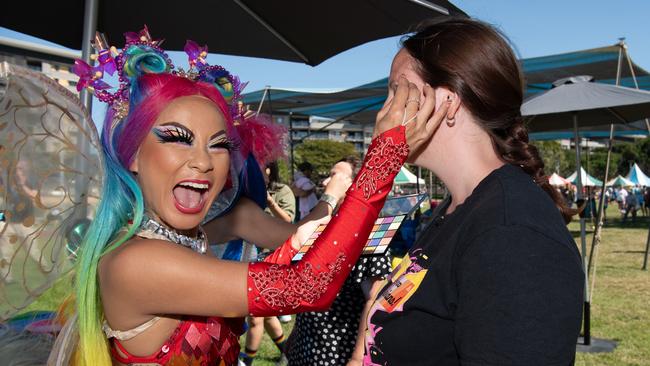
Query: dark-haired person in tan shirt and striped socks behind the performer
[{"x": 281, "y": 204}]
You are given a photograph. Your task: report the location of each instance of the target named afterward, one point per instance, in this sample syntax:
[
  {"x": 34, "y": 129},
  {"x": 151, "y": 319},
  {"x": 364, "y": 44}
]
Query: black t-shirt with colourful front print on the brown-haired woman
[{"x": 498, "y": 281}]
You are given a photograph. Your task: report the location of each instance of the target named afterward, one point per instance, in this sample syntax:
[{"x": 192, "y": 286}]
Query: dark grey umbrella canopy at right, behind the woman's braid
[{"x": 591, "y": 103}]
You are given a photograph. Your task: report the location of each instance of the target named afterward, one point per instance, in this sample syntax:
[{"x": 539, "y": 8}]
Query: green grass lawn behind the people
[{"x": 620, "y": 304}]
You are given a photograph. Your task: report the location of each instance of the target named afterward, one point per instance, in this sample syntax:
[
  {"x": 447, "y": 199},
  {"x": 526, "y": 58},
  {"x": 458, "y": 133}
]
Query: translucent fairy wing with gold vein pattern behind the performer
[{"x": 50, "y": 183}]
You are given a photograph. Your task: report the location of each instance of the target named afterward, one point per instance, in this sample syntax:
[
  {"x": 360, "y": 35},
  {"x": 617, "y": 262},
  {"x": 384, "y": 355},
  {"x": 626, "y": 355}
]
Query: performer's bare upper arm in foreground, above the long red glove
[{"x": 147, "y": 277}]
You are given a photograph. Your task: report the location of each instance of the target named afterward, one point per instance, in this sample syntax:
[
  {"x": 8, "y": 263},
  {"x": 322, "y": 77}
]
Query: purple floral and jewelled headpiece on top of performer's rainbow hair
[{"x": 142, "y": 55}]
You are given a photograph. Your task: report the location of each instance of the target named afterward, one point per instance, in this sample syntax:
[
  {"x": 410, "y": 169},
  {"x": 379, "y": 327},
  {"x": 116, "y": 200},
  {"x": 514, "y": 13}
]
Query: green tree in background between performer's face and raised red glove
[{"x": 322, "y": 154}]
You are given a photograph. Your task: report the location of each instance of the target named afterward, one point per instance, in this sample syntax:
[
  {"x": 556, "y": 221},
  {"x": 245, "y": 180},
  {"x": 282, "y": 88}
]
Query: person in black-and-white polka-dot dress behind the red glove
[{"x": 329, "y": 337}]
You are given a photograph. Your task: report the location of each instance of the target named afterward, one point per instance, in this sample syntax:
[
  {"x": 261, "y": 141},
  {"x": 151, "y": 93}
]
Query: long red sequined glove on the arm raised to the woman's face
[{"x": 312, "y": 283}]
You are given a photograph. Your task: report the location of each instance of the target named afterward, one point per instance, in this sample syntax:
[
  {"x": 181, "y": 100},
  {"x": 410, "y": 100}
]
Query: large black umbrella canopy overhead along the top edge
[{"x": 291, "y": 30}]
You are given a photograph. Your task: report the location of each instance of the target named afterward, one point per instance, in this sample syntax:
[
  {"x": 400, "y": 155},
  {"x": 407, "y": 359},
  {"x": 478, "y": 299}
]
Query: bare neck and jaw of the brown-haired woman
[{"x": 461, "y": 158}]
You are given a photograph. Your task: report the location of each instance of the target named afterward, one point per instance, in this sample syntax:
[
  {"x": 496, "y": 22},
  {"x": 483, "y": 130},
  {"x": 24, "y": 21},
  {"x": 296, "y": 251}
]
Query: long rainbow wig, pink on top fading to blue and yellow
[{"x": 121, "y": 207}]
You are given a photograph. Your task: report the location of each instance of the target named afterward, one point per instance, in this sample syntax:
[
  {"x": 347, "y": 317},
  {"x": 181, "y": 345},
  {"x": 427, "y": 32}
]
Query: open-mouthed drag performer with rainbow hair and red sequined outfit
[{"x": 147, "y": 292}]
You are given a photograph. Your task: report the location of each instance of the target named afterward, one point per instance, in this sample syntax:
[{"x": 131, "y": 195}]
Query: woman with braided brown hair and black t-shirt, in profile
[{"x": 496, "y": 278}]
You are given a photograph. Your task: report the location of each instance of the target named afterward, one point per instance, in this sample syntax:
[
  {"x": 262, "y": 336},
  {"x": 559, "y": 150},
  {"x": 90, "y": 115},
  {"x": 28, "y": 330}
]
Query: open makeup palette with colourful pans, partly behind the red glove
[{"x": 377, "y": 244}]
